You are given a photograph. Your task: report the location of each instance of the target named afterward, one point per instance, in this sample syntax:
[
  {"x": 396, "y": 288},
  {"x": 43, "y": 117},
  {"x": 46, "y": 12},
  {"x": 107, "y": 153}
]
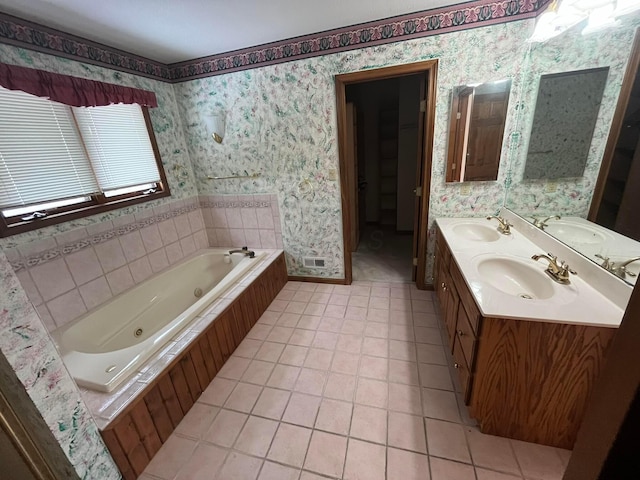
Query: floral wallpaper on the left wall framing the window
[{"x": 167, "y": 126}]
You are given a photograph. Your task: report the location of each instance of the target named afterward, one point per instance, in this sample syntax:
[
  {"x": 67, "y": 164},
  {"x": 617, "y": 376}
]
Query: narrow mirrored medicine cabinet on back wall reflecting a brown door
[{"x": 478, "y": 115}]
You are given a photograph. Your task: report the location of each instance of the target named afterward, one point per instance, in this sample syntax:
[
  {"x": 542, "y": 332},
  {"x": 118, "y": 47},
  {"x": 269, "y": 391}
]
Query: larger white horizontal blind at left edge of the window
[{"x": 41, "y": 155}]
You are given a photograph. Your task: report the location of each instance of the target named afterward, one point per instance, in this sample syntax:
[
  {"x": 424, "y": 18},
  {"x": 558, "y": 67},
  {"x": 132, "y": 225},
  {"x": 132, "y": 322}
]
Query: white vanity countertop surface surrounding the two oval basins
[{"x": 577, "y": 303}]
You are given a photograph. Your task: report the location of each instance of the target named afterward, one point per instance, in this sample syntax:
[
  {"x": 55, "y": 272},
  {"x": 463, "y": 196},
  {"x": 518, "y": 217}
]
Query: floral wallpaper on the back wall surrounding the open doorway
[{"x": 281, "y": 123}]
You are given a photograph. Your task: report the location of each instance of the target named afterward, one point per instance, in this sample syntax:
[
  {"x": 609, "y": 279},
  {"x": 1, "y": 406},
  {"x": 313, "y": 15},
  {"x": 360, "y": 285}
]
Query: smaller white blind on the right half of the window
[{"x": 118, "y": 143}]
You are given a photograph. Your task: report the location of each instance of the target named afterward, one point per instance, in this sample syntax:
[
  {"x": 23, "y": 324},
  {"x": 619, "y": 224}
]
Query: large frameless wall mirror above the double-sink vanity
[{"x": 604, "y": 237}]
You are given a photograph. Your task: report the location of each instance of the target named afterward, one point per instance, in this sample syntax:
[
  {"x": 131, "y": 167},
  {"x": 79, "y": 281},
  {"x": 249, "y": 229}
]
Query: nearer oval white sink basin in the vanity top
[{"x": 515, "y": 277}]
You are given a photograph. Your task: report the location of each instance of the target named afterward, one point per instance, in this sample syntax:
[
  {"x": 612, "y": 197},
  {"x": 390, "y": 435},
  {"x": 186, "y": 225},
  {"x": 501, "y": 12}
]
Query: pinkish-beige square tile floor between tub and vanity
[{"x": 343, "y": 382}]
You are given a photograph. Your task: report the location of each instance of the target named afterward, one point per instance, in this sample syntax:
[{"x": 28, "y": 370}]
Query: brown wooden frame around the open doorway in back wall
[{"x": 430, "y": 69}]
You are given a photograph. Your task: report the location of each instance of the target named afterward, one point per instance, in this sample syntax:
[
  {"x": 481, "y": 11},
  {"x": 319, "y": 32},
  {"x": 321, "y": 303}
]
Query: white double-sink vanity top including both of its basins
[{"x": 508, "y": 283}]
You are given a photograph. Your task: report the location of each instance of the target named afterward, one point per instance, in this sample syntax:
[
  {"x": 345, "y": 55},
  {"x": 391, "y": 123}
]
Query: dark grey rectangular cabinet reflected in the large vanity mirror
[{"x": 565, "y": 117}]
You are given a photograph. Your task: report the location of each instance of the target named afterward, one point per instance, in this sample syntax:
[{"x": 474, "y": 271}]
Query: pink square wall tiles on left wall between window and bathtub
[{"x": 68, "y": 274}]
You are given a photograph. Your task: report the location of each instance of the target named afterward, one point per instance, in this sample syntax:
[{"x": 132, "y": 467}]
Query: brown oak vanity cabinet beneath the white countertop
[{"x": 523, "y": 379}]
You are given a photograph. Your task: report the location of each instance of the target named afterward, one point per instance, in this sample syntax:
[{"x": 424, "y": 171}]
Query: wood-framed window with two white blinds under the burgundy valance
[{"x": 59, "y": 162}]
